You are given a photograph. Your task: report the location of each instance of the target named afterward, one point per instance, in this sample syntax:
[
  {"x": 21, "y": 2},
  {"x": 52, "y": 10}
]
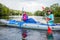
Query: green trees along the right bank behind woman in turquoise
[{"x": 55, "y": 10}]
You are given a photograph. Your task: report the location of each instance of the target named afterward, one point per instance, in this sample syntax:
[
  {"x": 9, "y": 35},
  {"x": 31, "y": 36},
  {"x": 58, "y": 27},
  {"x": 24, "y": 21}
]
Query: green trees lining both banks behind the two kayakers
[{"x": 5, "y": 12}]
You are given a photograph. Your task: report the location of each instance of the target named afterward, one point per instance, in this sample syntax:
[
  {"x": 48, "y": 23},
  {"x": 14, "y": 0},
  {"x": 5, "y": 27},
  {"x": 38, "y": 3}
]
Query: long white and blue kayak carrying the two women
[{"x": 30, "y": 25}]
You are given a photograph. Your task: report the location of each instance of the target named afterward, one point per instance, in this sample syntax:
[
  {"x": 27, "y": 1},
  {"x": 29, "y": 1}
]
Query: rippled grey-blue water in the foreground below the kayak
[{"x": 7, "y": 33}]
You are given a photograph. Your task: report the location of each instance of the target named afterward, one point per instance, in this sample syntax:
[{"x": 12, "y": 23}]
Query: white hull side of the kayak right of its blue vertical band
[{"x": 38, "y": 26}]
